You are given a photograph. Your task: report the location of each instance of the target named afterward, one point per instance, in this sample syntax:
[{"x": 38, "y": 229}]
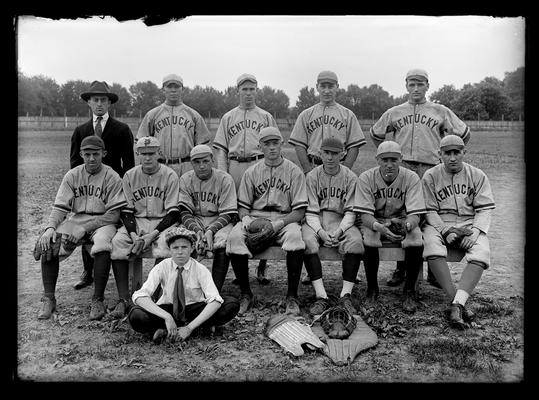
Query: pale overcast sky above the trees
[{"x": 284, "y": 52}]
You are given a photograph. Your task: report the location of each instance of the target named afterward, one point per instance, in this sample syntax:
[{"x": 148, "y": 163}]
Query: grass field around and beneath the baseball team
[{"x": 418, "y": 348}]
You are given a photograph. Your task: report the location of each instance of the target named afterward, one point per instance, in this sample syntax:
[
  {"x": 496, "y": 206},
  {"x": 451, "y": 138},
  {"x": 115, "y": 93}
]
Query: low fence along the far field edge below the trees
[{"x": 69, "y": 123}]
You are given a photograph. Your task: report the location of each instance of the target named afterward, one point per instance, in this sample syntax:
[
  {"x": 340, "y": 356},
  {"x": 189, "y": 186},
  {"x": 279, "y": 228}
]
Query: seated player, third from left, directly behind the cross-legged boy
[{"x": 208, "y": 205}]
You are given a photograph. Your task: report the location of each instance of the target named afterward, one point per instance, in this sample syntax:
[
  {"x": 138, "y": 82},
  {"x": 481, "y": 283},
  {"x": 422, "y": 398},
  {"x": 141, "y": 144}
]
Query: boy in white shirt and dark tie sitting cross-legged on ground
[{"x": 189, "y": 298}]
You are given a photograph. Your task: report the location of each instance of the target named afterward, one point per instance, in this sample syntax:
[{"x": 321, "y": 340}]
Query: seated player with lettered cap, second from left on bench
[{"x": 151, "y": 190}]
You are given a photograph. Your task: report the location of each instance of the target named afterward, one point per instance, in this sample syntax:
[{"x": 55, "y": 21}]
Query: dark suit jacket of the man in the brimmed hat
[{"x": 118, "y": 140}]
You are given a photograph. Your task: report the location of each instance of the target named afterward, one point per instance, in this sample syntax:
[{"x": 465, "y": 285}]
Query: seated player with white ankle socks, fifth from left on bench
[{"x": 329, "y": 218}]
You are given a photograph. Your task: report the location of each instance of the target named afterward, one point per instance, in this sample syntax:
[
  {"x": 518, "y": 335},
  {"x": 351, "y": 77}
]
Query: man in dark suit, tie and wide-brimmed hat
[{"x": 118, "y": 140}]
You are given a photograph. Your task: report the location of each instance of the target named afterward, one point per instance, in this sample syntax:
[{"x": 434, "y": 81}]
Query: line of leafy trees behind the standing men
[{"x": 490, "y": 99}]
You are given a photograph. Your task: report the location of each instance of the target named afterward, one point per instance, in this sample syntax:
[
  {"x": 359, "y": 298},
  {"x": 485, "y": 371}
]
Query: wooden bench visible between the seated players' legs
[{"x": 388, "y": 252}]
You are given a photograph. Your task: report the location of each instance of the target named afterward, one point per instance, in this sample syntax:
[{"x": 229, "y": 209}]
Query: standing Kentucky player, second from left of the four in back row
[{"x": 236, "y": 139}]
